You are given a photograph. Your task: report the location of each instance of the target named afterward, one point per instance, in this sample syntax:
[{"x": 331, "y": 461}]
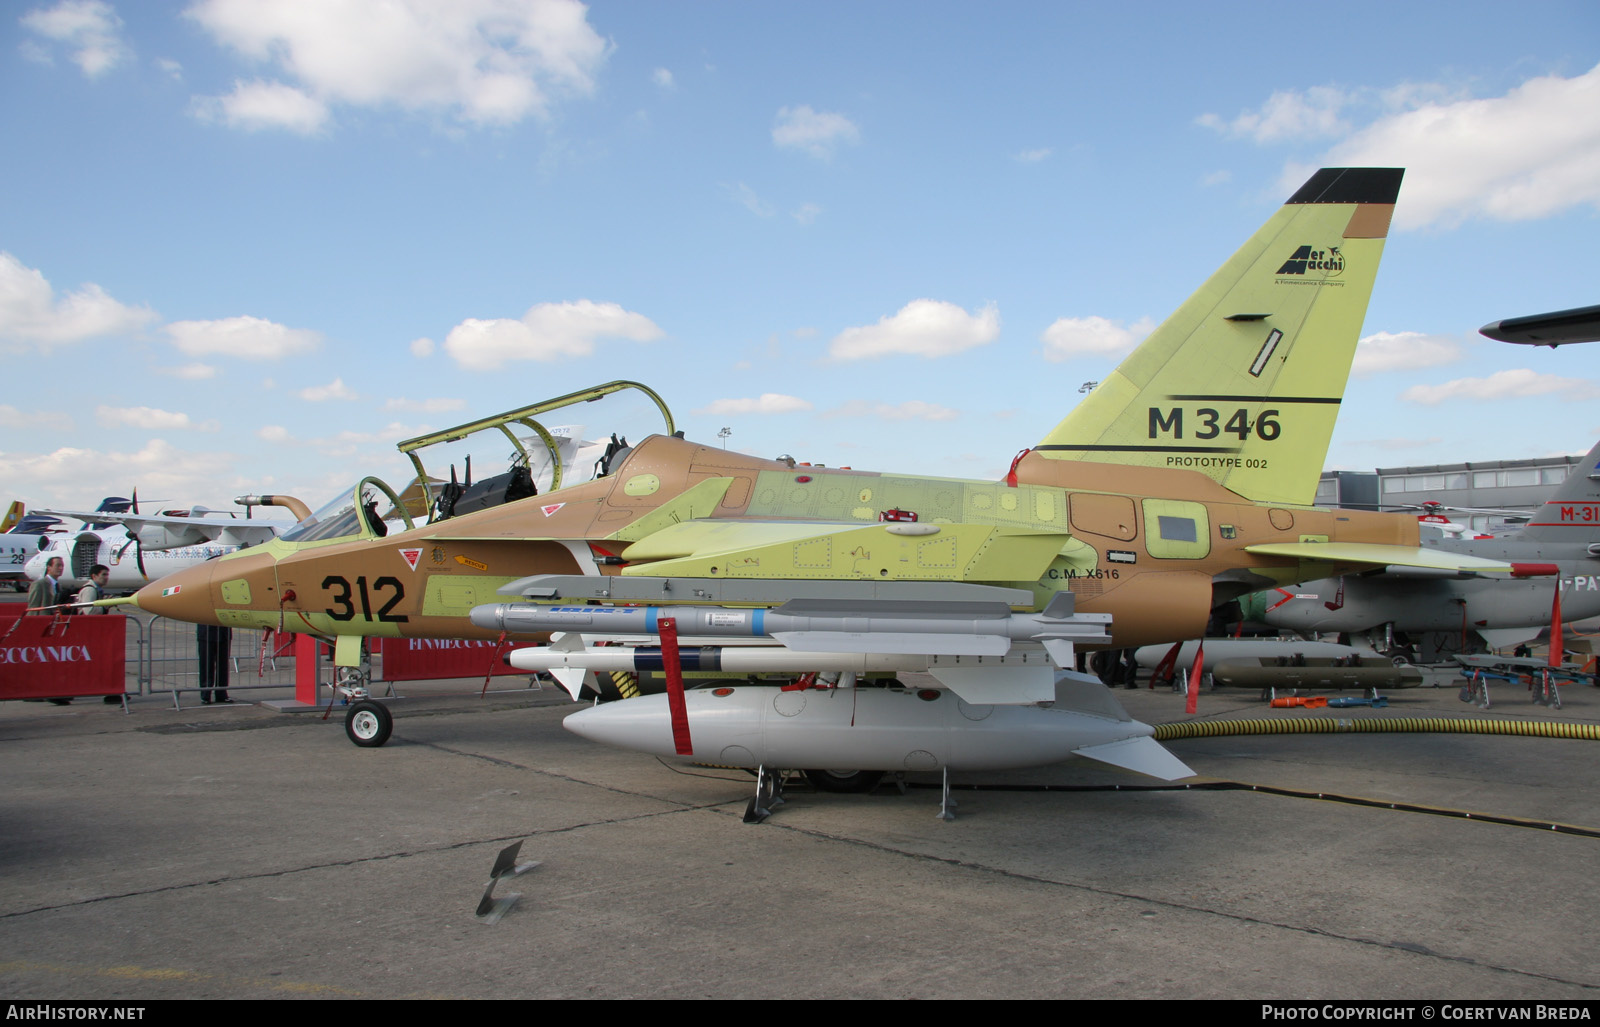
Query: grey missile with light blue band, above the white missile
[{"x": 830, "y": 626}]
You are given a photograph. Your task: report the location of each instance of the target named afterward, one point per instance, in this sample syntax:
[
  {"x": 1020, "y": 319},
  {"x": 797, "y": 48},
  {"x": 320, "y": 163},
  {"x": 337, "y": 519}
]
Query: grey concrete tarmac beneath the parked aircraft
[{"x": 244, "y": 853}]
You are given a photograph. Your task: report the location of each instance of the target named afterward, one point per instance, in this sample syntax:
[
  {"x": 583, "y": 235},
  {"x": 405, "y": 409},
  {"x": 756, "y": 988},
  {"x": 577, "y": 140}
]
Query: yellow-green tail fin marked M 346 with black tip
[{"x": 1244, "y": 380}]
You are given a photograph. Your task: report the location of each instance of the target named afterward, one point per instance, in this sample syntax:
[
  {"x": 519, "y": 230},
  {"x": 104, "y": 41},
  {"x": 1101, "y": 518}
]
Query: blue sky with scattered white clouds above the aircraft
[{"x": 249, "y": 246}]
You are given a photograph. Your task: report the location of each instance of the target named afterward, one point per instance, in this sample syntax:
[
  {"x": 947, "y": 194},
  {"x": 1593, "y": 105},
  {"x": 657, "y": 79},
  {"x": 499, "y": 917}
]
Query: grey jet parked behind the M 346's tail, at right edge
[{"x": 1561, "y": 543}]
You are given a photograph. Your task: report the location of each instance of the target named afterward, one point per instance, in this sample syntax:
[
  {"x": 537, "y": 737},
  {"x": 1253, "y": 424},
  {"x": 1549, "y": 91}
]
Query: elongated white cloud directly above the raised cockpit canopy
[{"x": 548, "y": 332}]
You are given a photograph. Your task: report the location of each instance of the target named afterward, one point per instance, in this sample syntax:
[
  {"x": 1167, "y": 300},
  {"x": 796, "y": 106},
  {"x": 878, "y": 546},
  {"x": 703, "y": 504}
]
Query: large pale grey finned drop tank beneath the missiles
[{"x": 886, "y": 730}]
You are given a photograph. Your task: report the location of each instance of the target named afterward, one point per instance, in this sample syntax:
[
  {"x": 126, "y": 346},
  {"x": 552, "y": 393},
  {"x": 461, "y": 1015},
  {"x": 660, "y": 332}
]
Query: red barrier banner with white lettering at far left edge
[{"x": 54, "y": 658}]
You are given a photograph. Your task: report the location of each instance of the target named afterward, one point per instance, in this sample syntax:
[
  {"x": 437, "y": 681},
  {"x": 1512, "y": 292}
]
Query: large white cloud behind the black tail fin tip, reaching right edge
[{"x": 1529, "y": 154}]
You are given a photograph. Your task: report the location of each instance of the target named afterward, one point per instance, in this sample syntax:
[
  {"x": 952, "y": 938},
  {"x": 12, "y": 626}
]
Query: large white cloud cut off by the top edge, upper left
[{"x": 481, "y": 62}]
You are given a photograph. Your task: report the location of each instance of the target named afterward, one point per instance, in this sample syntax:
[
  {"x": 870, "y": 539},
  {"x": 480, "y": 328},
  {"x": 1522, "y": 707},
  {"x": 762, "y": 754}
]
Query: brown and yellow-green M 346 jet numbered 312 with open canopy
[{"x": 1172, "y": 489}]
